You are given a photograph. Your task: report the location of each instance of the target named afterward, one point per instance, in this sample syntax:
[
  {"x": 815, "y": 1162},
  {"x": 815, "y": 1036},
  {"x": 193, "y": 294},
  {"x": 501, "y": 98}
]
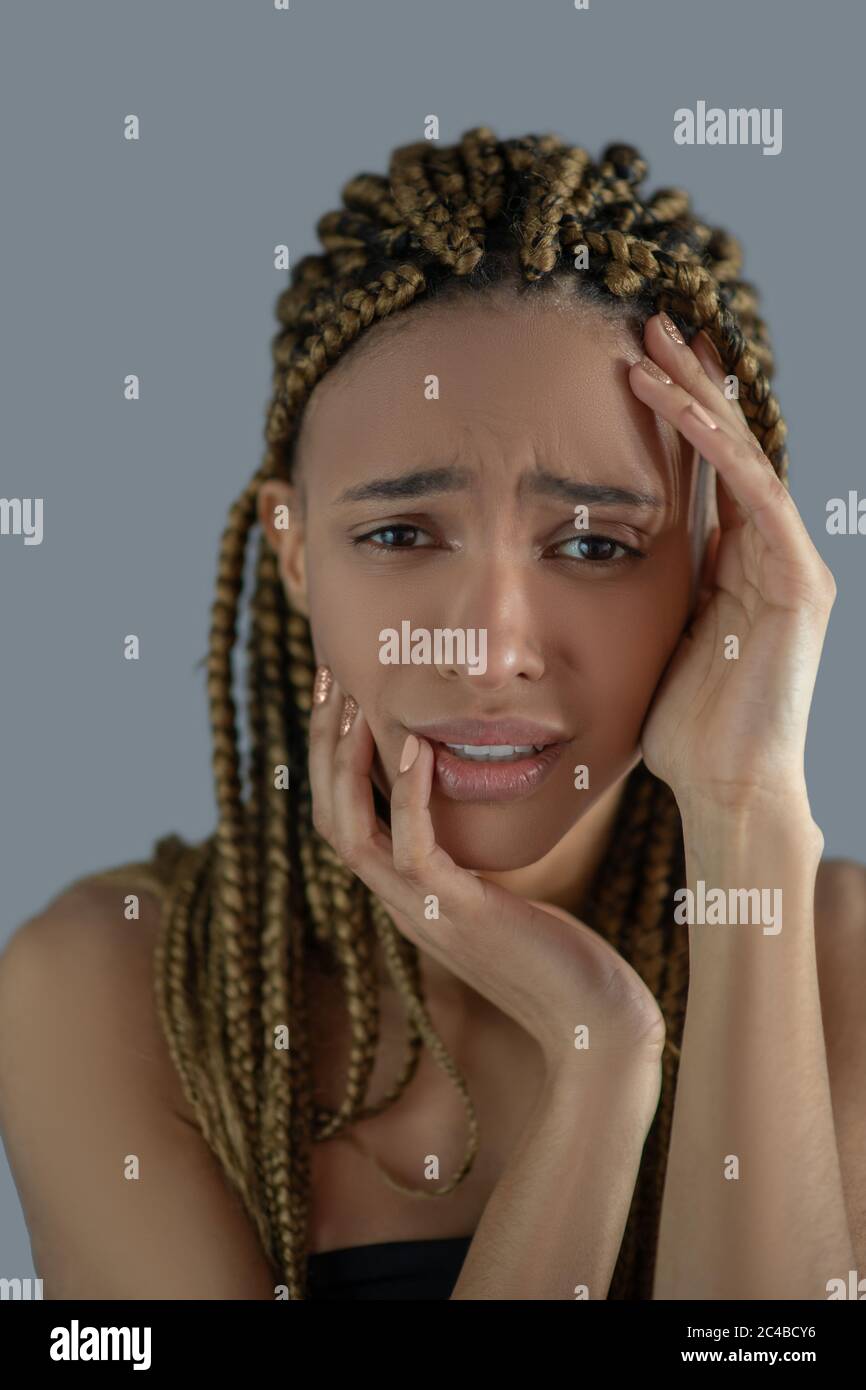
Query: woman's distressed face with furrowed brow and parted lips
[{"x": 440, "y": 477}]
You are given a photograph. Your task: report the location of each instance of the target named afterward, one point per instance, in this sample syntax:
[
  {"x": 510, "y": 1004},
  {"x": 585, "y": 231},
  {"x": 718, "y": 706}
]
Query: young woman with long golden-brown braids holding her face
[{"x": 411, "y": 1022}]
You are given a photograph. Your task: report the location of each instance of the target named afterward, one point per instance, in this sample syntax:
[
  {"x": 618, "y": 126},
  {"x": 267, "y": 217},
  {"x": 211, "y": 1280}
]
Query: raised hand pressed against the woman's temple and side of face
[{"x": 722, "y": 729}]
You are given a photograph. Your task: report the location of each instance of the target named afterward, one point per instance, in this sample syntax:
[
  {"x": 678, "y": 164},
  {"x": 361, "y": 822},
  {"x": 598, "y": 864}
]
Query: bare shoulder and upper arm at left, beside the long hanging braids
[{"x": 122, "y": 1195}]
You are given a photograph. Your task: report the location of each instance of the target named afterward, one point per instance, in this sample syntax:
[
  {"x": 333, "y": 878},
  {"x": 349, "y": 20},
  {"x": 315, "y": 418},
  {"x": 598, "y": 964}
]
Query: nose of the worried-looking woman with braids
[{"x": 496, "y": 604}]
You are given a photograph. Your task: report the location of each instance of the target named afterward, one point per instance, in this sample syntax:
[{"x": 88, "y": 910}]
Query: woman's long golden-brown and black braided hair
[{"x": 247, "y": 913}]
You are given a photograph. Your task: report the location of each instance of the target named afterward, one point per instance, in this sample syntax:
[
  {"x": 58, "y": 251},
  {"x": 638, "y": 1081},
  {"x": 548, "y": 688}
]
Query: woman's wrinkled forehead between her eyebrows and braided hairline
[{"x": 497, "y": 380}]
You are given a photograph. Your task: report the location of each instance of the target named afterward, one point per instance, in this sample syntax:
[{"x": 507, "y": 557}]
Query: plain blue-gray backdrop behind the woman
[{"x": 156, "y": 258}]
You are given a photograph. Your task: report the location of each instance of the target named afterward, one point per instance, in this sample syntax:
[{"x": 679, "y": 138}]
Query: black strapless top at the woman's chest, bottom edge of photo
[{"x": 390, "y": 1270}]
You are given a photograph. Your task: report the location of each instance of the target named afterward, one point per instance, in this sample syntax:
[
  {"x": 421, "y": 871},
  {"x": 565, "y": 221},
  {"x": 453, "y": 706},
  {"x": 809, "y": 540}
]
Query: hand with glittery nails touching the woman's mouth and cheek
[{"x": 537, "y": 964}]
